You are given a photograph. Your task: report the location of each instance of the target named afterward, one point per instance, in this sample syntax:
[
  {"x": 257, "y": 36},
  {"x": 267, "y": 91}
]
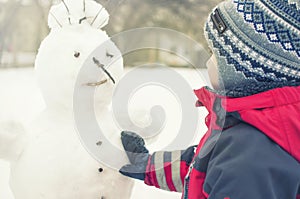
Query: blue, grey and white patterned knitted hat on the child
[{"x": 256, "y": 43}]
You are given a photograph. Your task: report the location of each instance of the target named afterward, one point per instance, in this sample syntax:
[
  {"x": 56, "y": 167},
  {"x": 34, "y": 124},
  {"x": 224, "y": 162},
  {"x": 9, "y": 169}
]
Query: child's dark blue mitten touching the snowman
[{"x": 137, "y": 153}]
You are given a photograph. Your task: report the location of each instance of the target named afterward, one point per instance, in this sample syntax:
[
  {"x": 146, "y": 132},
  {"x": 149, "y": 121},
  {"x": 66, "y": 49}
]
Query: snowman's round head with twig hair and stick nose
[{"x": 68, "y": 48}]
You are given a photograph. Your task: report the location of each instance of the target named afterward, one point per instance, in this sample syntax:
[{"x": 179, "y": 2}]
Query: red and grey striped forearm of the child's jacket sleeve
[{"x": 166, "y": 170}]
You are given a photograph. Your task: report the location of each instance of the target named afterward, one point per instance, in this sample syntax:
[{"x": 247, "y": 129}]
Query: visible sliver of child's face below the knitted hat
[{"x": 212, "y": 68}]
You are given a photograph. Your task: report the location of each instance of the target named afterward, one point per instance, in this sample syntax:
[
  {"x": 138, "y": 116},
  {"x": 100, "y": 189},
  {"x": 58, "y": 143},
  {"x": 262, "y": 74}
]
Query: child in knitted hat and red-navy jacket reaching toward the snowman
[{"x": 252, "y": 147}]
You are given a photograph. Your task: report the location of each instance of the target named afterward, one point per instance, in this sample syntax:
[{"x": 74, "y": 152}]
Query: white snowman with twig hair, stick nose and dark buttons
[{"x": 49, "y": 161}]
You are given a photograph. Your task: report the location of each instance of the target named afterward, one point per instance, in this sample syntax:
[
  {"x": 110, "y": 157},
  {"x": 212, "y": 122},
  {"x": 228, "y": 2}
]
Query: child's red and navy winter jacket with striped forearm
[{"x": 251, "y": 147}]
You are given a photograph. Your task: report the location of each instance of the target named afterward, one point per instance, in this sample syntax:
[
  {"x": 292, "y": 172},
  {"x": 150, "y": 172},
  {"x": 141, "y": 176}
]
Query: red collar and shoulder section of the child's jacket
[{"x": 275, "y": 112}]
